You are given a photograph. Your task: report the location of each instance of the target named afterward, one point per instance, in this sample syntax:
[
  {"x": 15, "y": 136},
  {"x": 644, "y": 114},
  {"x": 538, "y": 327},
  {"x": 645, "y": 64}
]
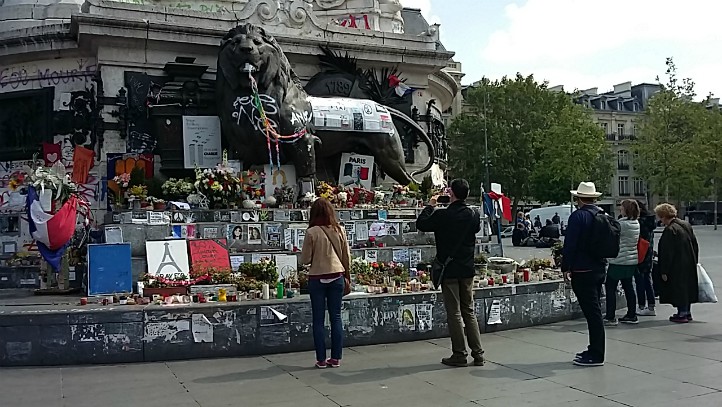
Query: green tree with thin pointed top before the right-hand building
[{"x": 669, "y": 156}]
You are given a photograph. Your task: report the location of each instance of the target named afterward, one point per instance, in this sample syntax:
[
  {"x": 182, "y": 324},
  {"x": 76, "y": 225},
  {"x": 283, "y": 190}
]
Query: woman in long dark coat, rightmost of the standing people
[{"x": 678, "y": 257}]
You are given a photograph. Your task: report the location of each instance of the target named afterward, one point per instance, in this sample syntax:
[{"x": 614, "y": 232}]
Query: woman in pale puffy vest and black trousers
[{"x": 622, "y": 268}]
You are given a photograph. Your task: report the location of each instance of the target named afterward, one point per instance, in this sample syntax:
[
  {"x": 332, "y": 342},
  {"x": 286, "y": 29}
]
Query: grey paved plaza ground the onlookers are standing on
[{"x": 654, "y": 363}]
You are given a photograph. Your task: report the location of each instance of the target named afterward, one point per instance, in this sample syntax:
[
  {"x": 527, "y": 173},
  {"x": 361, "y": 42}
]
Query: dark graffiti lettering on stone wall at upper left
[{"x": 46, "y": 76}]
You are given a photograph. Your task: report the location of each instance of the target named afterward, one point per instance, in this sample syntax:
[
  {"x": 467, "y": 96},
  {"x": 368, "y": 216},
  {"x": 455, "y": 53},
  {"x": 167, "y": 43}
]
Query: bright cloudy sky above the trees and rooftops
[{"x": 582, "y": 44}]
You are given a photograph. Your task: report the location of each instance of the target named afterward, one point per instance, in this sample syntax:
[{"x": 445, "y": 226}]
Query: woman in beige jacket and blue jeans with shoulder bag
[{"x": 326, "y": 250}]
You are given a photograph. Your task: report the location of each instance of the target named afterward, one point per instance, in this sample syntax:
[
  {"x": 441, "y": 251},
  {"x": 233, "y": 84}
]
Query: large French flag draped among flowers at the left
[{"x": 52, "y": 232}]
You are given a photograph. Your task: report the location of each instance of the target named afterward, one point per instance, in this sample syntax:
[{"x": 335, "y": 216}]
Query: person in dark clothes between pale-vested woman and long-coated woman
[{"x": 643, "y": 278}]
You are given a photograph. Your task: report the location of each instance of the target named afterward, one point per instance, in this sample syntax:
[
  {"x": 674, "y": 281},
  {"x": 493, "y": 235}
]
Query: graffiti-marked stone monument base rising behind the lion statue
[{"x": 116, "y": 77}]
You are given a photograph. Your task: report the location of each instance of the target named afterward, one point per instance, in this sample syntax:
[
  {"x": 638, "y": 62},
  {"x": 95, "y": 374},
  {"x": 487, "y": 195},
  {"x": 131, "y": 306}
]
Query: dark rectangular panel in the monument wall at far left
[{"x": 25, "y": 122}]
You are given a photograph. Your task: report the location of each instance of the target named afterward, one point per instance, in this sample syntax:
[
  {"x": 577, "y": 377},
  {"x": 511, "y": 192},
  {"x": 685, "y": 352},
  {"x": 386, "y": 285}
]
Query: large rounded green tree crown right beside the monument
[{"x": 540, "y": 143}]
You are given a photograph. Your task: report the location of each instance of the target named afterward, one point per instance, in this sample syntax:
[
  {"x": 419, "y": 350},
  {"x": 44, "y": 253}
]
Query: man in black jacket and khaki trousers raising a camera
[{"x": 455, "y": 229}]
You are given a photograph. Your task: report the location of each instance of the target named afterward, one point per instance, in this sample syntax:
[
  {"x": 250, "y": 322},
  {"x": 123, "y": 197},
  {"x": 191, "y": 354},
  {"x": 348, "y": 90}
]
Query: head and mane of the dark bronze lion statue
[{"x": 246, "y": 49}]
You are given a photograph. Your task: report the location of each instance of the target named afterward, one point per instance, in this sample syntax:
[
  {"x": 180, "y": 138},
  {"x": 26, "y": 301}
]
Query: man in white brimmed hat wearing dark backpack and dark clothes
[{"x": 588, "y": 242}]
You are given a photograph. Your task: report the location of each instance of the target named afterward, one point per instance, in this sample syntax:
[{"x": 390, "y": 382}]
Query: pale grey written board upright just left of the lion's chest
[{"x": 201, "y": 141}]
